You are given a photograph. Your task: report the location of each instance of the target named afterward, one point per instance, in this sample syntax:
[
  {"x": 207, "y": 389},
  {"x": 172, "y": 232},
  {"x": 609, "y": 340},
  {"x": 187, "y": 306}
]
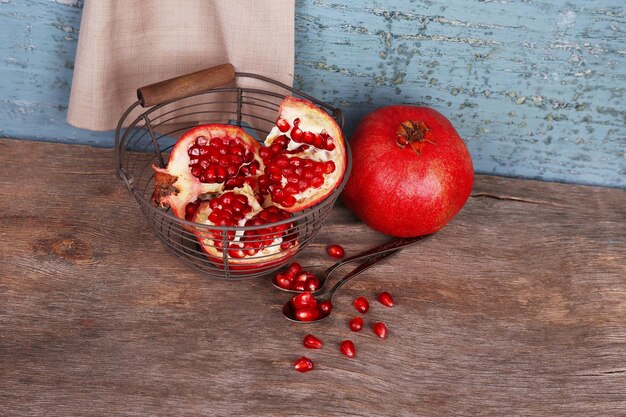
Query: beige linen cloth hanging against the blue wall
[{"x": 126, "y": 44}]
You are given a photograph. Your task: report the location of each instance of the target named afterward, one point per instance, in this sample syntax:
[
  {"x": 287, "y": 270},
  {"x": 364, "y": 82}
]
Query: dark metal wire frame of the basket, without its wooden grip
[{"x": 179, "y": 235}]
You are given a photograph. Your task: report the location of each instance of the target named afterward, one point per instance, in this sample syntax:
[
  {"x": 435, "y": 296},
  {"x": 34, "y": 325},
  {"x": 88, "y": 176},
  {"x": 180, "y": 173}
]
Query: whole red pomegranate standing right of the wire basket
[{"x": 411, "y": 172}]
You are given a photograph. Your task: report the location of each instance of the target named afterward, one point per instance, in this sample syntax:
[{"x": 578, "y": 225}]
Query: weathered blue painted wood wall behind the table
[{"x": 536, "y": 88}]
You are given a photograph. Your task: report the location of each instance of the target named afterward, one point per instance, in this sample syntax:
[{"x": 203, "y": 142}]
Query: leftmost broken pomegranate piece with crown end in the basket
[{"x": 206, "y": 160}]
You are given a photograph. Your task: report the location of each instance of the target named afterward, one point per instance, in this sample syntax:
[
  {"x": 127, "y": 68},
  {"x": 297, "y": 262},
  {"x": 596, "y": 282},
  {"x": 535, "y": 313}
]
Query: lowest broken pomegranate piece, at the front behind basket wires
[{"x": 257, "y": 246}]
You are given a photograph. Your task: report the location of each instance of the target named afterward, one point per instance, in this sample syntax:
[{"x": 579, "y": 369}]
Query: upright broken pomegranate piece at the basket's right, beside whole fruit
[{"x": 305, "y": 156}]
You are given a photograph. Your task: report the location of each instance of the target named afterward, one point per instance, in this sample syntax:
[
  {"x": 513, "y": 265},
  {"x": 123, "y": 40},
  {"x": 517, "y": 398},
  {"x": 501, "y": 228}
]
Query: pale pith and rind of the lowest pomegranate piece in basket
[{"x": 207, "y": 242}]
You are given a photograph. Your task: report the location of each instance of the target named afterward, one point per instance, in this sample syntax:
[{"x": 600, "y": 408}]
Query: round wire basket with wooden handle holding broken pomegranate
[{"x": 164, "y": 111}]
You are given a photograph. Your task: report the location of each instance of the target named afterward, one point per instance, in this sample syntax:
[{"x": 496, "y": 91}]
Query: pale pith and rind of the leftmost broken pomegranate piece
[{"x": 188, "y": 187}]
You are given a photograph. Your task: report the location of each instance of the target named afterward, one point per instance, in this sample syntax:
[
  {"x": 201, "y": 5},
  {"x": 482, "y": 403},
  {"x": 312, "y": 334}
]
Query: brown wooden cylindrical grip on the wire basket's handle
[{"x": 185, "y": 85}]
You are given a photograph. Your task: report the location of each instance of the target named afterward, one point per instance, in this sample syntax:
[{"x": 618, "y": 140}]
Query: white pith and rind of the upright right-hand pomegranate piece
[{"x": 315, "y": 120}]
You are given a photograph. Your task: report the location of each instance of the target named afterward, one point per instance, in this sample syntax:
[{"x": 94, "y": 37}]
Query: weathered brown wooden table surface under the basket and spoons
[{"x": 517, "y": 307}]
